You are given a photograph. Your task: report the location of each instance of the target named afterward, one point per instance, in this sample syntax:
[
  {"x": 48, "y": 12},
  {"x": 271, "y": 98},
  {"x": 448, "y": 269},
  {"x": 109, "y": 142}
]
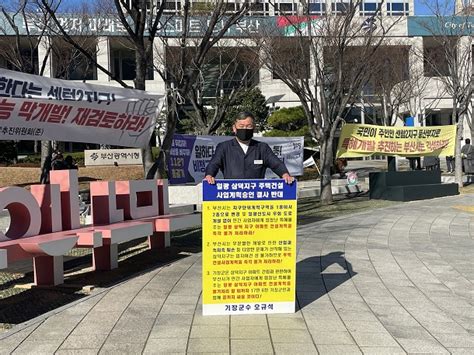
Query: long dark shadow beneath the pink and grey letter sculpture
[{"x": 18, "y": 305}]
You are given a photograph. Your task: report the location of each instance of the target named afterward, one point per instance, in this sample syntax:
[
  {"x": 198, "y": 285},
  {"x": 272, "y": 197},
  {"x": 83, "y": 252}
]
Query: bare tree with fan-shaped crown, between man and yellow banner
[{"x": 326, "y": 63}]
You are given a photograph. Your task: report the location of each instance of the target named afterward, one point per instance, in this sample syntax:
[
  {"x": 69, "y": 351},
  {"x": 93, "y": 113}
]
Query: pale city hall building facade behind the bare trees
[{"x": 106, "y": 39}]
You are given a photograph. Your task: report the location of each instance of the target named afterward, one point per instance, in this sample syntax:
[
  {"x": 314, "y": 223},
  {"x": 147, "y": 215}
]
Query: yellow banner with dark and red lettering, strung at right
[{"x": 359, "y": 140}]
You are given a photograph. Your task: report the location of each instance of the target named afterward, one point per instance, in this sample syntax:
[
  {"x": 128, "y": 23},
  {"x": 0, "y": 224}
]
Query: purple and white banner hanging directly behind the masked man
[{"x": 189, "y": 155}]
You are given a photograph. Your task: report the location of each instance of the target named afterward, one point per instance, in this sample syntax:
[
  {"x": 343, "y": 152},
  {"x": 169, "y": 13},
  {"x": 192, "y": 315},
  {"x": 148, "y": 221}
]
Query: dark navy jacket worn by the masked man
[{"x": 234, "y": 164}]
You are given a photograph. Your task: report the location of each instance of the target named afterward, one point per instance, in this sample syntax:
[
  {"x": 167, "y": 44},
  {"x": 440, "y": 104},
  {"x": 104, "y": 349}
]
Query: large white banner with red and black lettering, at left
[{"x": 38, "y": 108}]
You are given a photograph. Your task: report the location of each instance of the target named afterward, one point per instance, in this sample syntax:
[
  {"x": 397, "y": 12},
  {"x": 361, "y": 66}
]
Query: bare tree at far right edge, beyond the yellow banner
[{"x": 448, "y": 55}]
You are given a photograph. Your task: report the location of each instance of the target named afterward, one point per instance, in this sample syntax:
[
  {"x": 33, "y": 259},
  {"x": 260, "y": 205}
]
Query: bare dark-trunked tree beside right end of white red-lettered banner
[{"x": 144, "y": 23}]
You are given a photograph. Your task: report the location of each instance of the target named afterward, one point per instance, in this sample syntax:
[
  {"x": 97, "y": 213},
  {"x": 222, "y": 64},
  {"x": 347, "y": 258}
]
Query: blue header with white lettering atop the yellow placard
[{"x": 248, "y": 190}]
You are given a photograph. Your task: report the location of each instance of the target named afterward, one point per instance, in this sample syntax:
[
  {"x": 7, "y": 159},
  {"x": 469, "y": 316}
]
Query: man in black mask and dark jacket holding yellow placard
[{"x": 243, "y": 157}]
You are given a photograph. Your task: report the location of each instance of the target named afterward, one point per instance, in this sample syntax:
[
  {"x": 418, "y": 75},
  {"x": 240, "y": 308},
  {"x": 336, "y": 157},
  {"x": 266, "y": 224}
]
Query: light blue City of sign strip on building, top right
[{"x": 440, "y": 26}]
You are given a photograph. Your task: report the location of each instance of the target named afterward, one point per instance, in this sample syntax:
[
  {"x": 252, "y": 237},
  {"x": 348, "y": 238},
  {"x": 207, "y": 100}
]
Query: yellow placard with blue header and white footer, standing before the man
[{"x": 249, "y": 247}]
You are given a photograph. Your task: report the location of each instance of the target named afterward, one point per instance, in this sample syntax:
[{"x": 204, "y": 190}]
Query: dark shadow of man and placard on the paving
[{"x": 318, "y": 275}]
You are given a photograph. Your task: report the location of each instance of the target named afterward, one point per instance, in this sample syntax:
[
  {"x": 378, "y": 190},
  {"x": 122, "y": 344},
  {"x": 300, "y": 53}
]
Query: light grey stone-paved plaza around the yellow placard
[{"x": 391, "y": 281}]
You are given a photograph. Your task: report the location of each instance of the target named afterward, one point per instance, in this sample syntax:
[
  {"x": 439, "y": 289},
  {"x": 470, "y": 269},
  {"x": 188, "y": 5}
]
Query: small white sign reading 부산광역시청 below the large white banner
[{"x": 107, "y": 157}]
